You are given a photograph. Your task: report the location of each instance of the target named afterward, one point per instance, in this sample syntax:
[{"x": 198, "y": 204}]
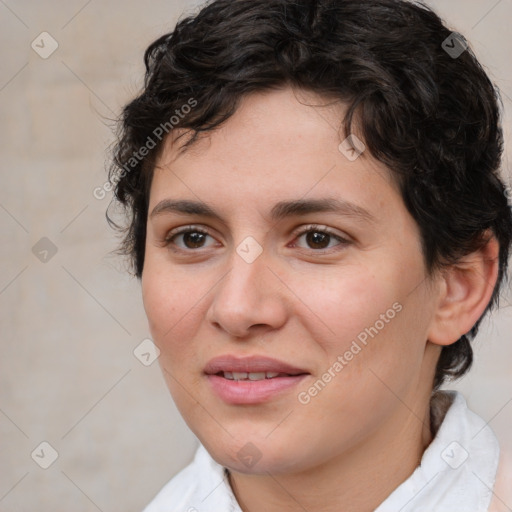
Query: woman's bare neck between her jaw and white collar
[{"x": 359, "y": 480}]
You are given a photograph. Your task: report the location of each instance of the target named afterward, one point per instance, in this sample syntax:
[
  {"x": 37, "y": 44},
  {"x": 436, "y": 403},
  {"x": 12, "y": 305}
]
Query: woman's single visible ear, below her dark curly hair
[{"x": 465, "y": 290}]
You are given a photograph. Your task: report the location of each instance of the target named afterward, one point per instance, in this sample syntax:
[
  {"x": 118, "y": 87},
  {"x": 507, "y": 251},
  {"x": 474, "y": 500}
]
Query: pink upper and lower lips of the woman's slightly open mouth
[{"x": 251, "y": 392}]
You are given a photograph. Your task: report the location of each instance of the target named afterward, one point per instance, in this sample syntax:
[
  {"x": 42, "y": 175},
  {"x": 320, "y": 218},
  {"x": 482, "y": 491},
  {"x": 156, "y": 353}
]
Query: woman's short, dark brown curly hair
[{"x": 430, "y": 115}]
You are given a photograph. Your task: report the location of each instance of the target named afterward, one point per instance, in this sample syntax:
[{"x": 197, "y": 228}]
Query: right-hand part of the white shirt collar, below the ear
[{"x": 458, "y": 469}]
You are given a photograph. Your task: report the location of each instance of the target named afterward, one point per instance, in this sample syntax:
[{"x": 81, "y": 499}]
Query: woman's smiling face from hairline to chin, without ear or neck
[{"x": 289, "y": 335}]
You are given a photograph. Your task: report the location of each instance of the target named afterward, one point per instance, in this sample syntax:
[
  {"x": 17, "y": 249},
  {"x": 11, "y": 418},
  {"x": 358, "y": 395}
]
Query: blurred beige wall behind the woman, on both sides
[{"x": 68, "y": 375}]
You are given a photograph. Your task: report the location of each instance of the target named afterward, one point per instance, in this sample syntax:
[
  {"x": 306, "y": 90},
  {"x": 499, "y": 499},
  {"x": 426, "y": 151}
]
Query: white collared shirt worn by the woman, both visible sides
[{"x": 457, "y": 472}]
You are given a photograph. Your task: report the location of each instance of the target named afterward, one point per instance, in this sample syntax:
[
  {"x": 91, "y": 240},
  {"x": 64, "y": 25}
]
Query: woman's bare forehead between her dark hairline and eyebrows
[{"x": 282, "y": 144}]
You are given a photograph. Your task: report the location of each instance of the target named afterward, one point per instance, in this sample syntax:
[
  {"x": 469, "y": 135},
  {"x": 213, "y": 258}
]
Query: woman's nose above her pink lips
[{"x": 250, "y": 299}]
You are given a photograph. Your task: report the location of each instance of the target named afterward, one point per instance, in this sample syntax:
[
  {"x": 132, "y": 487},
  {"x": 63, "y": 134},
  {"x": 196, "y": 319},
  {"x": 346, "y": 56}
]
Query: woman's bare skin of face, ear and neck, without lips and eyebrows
[{"x": 303, "y": 303}]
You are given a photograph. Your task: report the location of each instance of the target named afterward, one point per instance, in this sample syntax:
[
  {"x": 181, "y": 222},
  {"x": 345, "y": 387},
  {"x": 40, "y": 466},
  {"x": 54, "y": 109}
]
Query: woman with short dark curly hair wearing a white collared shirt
[{"x": 319, "y": 226}]
